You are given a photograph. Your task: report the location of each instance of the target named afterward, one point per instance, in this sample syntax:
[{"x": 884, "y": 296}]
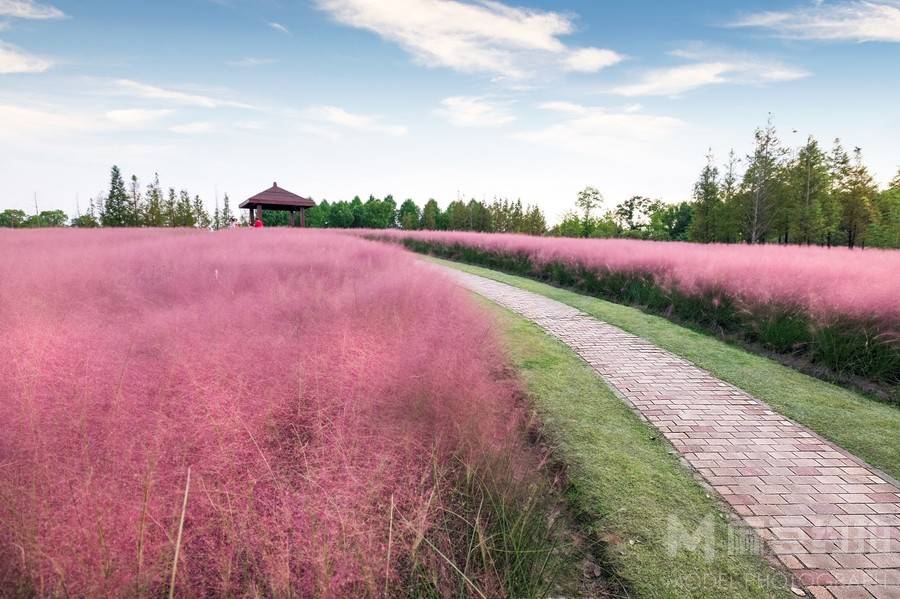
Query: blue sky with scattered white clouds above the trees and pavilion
[{"x": 430, "y": 98}]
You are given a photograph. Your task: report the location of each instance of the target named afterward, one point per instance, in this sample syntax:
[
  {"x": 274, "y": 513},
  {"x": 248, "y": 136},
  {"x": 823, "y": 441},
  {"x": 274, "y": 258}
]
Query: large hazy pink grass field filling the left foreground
[{"x": 307, "y": 379}]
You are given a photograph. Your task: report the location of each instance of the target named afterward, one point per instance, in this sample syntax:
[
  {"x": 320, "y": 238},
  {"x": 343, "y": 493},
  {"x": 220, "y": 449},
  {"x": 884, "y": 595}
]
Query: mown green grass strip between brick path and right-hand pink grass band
[{"x": 867, "y": 428}]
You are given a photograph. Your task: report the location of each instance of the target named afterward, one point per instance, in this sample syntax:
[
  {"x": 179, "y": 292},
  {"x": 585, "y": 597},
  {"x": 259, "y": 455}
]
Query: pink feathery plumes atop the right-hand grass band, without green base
[{"x": 827, "y": 283}]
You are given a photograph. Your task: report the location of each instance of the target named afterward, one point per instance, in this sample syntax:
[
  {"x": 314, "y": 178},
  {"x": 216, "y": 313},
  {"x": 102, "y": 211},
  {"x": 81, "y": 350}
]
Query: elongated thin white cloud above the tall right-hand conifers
[{"x": 674, "y": 81}]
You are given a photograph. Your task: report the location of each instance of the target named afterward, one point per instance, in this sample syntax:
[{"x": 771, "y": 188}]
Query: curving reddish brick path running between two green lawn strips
[{"x": 833, "y": 521}]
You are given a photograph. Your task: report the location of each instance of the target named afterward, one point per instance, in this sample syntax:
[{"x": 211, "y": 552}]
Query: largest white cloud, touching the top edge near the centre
[{"x": 485, "y": 36}]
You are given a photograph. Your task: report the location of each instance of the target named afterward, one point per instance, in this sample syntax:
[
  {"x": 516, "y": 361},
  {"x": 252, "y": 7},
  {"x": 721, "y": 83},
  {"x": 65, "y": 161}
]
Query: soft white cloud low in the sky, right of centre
[{"x": 592, "y": 129}]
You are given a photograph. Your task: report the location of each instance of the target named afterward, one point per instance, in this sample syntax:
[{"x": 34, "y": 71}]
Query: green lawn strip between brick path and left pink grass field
[{"x": 625, "y": 482}]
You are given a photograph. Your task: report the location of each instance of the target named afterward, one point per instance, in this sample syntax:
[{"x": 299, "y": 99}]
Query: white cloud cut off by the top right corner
[{"x": 845, "y": 20}]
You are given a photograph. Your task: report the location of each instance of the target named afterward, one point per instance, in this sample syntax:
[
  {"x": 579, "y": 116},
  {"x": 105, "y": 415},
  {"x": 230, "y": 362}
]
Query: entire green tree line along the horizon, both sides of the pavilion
[{"x": 775, "y": 194}]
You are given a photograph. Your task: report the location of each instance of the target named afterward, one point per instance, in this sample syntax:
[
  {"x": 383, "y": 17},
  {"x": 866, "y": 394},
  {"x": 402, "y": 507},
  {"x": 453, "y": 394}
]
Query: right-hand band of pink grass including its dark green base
[{"x": 840, "y": 308}]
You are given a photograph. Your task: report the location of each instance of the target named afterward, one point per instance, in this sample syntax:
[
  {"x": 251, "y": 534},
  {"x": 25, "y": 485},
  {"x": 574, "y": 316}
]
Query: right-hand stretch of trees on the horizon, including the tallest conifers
[{"x": 803, "y": 196}]
